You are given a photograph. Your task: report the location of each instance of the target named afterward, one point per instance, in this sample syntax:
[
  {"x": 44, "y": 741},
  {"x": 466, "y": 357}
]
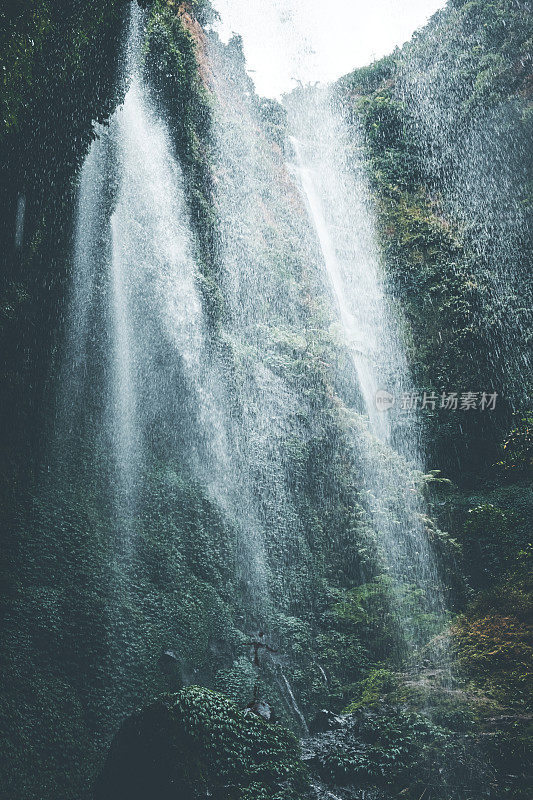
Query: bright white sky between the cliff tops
[{"x": 317, "y": 40}]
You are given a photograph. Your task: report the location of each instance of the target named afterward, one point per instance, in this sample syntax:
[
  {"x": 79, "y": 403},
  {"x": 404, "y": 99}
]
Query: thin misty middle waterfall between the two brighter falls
[{"x": 257, "y": 242}]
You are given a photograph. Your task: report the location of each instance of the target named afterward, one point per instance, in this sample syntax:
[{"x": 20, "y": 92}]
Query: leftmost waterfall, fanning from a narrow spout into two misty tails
[{"x": 160, "y": 379}]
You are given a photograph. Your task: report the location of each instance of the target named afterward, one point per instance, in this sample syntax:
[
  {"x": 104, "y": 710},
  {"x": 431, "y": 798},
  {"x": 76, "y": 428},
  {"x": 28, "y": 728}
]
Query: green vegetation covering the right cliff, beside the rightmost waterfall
[{"x": 424, "y": 113}]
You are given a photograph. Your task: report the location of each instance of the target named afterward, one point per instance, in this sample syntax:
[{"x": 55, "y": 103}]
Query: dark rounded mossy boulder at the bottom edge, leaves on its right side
[{"x": 197, "y": 744}]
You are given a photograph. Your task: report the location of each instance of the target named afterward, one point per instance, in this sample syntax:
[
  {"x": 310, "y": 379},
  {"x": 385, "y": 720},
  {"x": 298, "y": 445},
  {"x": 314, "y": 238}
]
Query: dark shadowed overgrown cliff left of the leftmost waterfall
[{"x": 60, "y": 64}]
